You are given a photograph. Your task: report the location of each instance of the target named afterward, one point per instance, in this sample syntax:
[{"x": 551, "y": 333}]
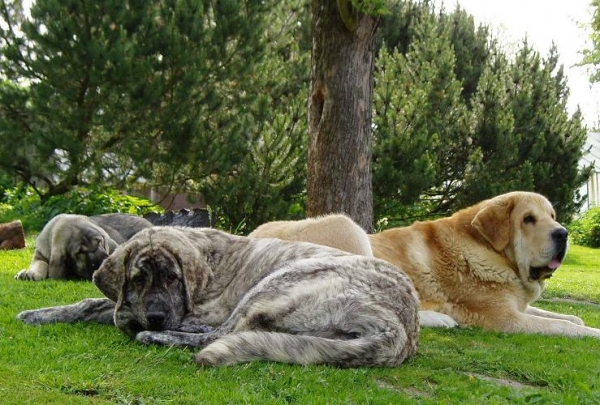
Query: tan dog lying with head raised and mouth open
[{"x": 482, "y": 266}]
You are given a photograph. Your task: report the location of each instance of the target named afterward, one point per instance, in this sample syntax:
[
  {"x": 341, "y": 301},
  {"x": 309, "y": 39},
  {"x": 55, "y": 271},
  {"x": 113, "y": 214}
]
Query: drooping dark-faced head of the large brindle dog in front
[{"x": 153, "y": 278}]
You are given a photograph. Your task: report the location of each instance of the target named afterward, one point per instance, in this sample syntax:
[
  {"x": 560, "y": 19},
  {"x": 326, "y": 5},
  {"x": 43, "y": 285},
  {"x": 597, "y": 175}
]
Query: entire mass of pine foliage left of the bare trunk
[{"x": 207, "y": 97}]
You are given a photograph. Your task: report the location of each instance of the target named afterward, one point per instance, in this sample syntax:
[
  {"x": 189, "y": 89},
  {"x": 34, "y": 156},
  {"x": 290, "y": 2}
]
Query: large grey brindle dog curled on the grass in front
[{"x": 246, "y": 299}]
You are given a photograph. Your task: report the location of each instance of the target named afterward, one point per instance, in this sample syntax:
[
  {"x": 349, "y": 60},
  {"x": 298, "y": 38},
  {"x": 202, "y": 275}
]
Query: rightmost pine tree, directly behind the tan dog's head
[{"x": 523, "y": 135}]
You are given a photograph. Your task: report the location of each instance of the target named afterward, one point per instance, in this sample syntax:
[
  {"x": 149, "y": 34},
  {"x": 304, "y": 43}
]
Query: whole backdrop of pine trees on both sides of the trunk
[{"x": 210, "y": 97}]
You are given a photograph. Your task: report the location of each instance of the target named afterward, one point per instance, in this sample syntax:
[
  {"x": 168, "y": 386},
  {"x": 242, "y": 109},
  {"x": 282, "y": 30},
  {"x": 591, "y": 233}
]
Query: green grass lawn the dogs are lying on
[{"x": 86, "y": 363}]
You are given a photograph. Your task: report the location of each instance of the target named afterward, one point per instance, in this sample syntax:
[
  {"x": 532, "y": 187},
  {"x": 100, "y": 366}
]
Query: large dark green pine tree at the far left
[{"x": 115, "y": 91}]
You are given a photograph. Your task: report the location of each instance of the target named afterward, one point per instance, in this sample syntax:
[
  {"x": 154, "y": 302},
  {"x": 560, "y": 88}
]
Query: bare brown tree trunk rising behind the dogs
[{"x": 340, "y": 115}]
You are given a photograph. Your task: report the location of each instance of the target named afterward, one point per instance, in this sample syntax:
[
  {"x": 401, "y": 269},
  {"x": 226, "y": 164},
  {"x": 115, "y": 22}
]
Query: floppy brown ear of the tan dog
[{"x": 493, "y": 222}]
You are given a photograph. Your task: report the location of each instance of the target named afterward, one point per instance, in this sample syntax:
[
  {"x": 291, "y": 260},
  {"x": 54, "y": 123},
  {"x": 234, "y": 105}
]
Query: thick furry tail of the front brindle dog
[{"x": 380, "y": 349}]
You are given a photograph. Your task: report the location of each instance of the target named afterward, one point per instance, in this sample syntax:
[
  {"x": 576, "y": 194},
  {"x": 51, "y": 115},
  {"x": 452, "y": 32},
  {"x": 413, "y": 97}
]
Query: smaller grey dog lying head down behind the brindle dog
[{"x": 74, "y": 246}]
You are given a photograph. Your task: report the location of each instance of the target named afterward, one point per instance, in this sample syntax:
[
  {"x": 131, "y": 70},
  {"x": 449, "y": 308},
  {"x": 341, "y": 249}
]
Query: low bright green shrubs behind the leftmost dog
[{"x": 24, "y": 204}]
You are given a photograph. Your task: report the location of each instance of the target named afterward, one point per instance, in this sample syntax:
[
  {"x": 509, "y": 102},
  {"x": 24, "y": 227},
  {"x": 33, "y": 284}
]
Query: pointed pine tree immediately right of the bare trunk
[{"x": 421, "y": 124}]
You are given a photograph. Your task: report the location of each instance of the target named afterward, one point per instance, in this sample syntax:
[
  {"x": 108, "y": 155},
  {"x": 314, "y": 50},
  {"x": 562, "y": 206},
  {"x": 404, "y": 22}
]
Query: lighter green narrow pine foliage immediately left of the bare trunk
[{"x": 269, "y": 182}]
